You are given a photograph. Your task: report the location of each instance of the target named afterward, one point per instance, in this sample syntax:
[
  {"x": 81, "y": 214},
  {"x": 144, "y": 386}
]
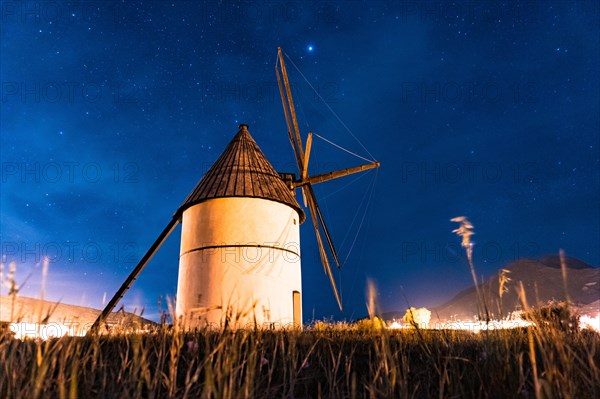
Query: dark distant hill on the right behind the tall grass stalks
[{"x": 542, "y": 280}]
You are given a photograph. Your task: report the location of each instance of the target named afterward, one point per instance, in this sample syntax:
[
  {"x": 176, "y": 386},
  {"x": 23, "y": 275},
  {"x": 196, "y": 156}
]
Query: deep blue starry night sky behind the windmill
[{"x": 112, "y": 111}]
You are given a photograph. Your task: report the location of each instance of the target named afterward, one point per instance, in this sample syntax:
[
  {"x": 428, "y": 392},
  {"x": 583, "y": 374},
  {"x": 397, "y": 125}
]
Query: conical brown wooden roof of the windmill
[{"x": 242, "y": 170}]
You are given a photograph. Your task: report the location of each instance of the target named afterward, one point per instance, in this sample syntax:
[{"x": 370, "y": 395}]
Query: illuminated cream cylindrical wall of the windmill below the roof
[{"x": 240, "y": 260}]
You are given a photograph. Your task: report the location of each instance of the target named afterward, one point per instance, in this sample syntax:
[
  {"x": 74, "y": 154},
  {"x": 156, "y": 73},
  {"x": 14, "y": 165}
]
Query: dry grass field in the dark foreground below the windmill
[{"x": 336, "y": 361}]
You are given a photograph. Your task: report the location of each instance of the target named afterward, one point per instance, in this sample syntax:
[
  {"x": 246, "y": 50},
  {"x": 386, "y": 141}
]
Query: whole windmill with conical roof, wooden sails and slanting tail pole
[{"x": 239, "y": 259}]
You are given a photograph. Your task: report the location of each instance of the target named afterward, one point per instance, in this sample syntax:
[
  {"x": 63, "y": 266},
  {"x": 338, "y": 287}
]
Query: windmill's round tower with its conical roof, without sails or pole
[{"x": 240, "y": 244}]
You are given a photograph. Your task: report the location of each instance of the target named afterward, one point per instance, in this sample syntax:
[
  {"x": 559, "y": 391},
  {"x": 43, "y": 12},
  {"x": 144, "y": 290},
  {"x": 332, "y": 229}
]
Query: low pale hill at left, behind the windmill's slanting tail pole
[{"x": 31, "y": 310}]
